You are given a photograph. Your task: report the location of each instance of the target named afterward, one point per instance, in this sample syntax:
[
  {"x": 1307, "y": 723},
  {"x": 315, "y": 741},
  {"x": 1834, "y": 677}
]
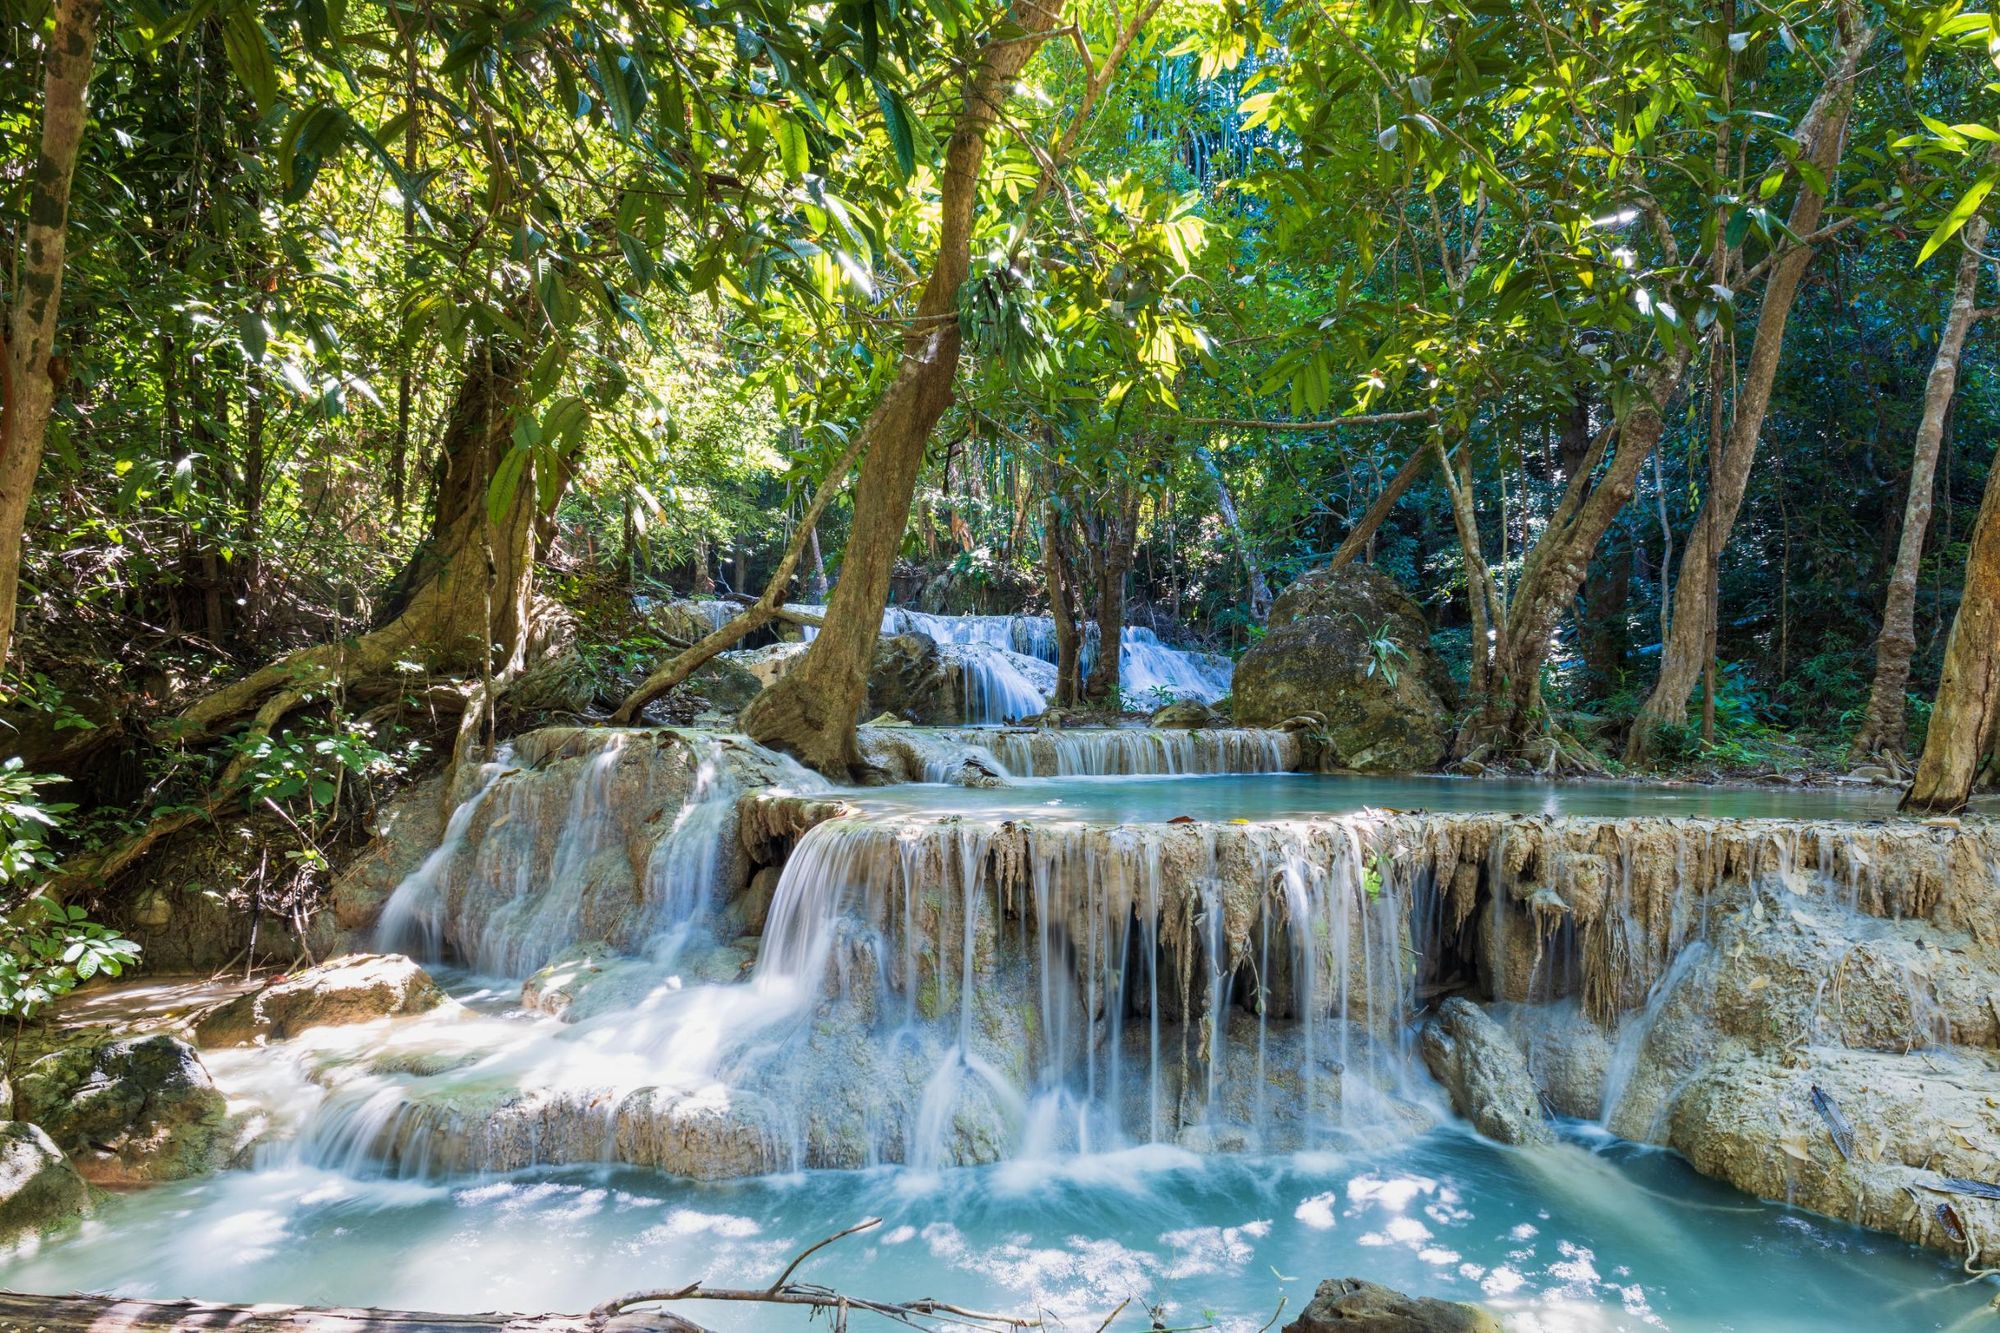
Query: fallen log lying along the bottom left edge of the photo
[{"x": 91, "y": 1314}]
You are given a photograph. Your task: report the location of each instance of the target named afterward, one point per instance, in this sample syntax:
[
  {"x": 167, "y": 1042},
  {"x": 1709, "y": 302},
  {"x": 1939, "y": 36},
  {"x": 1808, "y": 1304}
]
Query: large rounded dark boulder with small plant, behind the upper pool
[{"x": 1355, "y": 649}]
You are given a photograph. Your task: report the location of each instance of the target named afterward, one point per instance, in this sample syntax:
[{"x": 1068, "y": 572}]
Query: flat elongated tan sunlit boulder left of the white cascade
[{"x": 355, "y": 990}]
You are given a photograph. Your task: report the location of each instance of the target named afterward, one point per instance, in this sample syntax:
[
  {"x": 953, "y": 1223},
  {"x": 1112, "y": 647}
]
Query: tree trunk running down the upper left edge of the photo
[{"x": 27, "y": 387}]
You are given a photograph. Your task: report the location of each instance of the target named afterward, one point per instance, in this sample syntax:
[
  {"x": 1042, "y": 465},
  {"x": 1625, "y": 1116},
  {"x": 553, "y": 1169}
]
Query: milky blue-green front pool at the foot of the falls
[{"x": 1587, "y": 1236}]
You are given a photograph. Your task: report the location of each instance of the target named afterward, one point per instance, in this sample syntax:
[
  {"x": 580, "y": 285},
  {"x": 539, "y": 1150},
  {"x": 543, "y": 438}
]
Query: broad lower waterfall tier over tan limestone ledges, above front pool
[{"x": 731, "y": 970}]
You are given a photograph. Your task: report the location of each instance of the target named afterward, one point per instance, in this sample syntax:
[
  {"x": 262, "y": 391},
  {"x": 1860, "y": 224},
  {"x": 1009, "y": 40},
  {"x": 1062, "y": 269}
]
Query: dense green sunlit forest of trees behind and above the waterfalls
[{"x": 407, "y": 353}]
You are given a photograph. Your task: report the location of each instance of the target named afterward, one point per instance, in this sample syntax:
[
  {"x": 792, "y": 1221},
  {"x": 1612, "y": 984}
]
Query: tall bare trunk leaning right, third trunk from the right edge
[{"x": 1689, "y": 639}]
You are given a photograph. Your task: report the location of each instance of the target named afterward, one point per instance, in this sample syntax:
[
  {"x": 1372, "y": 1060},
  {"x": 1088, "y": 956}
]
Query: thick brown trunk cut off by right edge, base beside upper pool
[{"x": 1967, "y": 716}]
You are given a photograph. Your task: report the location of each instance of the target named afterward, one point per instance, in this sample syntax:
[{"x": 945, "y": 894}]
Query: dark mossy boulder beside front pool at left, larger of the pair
[{"x": 129, "y": 1112}]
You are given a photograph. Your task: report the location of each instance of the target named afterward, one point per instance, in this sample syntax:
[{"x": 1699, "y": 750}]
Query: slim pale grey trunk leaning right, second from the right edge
[{"x": 1885, "y": 730}]
